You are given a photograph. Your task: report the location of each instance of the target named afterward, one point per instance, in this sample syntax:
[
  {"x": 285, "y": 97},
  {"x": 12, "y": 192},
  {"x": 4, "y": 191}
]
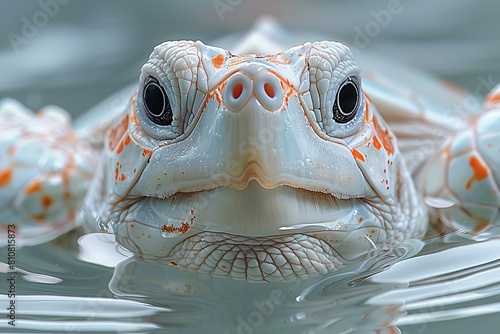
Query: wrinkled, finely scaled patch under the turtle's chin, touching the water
[{"x": 258, "y": 259}]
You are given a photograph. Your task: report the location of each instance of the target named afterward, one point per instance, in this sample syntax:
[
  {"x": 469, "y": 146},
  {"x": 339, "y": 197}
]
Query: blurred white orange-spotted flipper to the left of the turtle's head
[{"x": 44, "y": 172}]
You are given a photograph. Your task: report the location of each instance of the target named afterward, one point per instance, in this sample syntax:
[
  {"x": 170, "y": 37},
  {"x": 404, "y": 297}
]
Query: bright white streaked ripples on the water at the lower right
[{"x": 449, "y": 284}]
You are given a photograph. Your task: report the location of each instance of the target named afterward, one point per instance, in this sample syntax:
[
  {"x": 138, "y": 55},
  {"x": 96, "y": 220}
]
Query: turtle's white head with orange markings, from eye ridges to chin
[{"x": 262, "y": 168}]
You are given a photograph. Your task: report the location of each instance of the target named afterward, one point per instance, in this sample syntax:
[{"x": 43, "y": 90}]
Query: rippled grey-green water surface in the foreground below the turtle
[{"x": 69, "y": 286}]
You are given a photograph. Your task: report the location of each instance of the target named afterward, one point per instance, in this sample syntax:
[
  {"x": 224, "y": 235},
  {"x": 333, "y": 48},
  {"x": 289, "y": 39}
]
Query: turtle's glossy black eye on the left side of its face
[{"x": 156, "y": 102}]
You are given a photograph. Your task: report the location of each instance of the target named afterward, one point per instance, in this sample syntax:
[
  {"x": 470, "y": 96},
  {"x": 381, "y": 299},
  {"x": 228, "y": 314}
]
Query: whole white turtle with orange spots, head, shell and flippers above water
[{"x": 256, "y": 167}]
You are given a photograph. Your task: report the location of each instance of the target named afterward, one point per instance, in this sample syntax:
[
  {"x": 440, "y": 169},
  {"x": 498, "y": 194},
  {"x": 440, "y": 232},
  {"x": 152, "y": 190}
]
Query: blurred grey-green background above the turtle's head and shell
[{"x": 75, "y": 53}]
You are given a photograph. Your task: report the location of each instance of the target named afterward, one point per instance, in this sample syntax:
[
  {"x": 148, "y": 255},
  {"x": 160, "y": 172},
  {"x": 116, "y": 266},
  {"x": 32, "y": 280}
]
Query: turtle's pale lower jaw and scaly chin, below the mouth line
[{"x": 256, "y": 234}]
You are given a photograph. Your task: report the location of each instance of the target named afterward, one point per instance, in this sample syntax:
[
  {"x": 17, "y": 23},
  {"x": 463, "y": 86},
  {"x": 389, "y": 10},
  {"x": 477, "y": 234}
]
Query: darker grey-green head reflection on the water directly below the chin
[{"x": 201, "y": 303}]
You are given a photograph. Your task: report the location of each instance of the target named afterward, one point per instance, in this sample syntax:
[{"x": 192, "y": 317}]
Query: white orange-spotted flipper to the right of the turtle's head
[{"x": 466, "y": 174}]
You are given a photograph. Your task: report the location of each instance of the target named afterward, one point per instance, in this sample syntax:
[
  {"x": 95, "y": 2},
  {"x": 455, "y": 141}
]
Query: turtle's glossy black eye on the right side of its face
[{"x": 347, "y": 100}]
